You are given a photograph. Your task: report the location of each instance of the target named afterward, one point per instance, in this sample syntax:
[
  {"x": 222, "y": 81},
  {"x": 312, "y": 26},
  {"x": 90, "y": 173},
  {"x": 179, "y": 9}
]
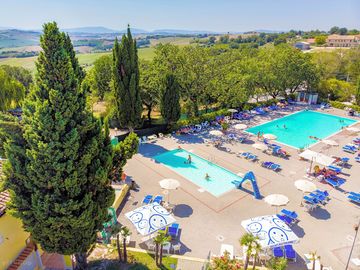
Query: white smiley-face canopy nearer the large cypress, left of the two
[{"x": 150, "y": 218}]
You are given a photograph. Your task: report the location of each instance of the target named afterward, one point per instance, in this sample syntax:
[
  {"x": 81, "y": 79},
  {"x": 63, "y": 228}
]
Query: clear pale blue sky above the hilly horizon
[{"x": 214, "y": 15}]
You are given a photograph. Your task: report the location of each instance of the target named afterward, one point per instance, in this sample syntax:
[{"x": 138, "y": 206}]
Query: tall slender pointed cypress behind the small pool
[{"x": 126, "y": 82}]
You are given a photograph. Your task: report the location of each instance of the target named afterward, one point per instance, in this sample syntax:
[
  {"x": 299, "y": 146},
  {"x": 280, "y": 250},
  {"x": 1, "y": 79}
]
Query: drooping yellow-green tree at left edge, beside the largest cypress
[{"x": 12, "y": 92}]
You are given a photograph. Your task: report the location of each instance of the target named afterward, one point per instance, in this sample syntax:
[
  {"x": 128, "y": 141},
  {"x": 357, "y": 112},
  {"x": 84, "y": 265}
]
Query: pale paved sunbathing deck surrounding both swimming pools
[{"x": 206, "y": 221}]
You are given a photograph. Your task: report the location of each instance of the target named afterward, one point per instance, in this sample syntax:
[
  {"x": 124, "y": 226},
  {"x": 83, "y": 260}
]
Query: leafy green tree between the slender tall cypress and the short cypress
[{"x": 150, "y": 86}]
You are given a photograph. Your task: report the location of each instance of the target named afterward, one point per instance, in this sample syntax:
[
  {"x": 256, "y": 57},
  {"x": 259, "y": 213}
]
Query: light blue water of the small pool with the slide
[{"x": 220, "y": 180}]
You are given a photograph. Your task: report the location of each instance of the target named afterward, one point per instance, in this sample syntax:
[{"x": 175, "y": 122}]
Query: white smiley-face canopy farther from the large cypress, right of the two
[{"x": 271, "y": 231}]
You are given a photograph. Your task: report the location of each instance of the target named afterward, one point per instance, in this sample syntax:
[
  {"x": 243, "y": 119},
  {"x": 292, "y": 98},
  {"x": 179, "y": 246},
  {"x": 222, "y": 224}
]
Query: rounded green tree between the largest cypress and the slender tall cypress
[{"x": 101, "y": 73}]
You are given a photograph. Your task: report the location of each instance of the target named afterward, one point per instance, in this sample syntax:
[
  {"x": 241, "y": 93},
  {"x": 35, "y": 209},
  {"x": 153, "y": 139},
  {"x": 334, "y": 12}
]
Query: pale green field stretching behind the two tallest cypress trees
[{"x": 86, "y": 59}]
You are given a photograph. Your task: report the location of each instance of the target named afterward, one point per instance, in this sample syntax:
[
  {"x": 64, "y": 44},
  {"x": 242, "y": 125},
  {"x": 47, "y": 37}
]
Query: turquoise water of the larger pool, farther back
[{"x": 301, "y": 125}]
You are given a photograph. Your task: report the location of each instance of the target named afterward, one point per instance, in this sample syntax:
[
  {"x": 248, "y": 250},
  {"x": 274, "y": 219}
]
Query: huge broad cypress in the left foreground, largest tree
[{"x": 59, "y": 173}]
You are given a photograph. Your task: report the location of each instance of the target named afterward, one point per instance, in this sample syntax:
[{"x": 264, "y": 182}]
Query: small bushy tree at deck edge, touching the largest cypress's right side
[{"x": 122, "y": 152}]
